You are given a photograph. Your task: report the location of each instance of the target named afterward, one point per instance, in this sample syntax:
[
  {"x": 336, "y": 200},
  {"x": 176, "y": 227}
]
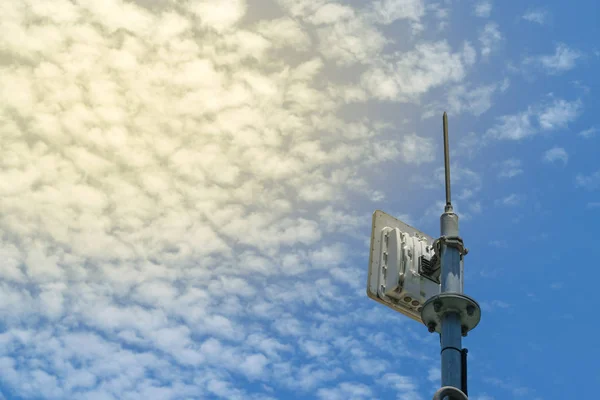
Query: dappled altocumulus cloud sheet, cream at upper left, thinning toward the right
[{"x": 185, "y": 192}]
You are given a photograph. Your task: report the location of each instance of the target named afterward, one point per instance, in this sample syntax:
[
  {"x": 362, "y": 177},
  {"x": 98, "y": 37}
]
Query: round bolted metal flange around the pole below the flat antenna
[{"x": 435, "y": 308}]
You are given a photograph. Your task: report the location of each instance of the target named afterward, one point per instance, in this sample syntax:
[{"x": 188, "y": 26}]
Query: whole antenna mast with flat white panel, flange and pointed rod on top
[{"x": 423, "y": 279}]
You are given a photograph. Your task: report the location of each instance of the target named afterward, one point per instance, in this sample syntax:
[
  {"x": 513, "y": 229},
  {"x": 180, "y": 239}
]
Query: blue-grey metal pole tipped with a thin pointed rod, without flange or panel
[{"x": 451, "y": 280}]
